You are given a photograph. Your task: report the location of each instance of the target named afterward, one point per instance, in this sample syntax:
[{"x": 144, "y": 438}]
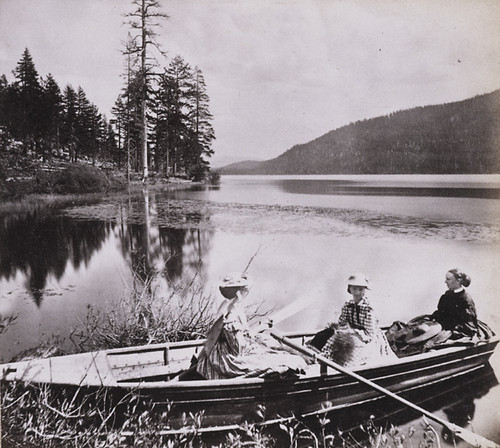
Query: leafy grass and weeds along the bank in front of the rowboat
[{"x": 36, "y": 416}]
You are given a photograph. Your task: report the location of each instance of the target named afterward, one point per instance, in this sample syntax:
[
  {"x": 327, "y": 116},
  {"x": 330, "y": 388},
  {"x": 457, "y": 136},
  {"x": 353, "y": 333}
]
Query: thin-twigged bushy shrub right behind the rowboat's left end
[{"x": 146, "y": 316}]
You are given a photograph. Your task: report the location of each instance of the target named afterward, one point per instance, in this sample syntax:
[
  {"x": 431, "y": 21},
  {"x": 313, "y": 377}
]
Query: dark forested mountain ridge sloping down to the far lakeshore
[{"x": 454, "y": 138}]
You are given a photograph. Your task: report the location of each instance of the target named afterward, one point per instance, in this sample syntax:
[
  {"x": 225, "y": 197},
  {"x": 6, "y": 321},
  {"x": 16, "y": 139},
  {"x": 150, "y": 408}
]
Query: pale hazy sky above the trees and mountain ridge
[{"x": 278, "y": 72}]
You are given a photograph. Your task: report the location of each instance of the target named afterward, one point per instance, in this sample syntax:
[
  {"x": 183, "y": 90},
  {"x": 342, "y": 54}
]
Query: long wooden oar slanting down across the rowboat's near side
[{"x": 466, "y": 435}]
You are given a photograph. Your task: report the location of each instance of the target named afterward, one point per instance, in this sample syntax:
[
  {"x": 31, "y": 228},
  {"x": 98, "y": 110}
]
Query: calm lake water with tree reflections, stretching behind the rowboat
[{"x": 309, "y": 233}]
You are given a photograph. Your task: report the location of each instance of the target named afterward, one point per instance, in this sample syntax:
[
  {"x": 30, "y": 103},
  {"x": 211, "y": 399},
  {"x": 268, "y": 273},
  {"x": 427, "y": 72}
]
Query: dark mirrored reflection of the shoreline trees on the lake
[{"x": 42, "y": 242}]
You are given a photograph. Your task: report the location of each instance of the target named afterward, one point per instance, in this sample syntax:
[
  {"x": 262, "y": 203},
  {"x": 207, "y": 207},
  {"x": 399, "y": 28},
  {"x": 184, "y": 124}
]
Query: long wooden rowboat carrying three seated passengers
[{"x": 150, "y": 371}]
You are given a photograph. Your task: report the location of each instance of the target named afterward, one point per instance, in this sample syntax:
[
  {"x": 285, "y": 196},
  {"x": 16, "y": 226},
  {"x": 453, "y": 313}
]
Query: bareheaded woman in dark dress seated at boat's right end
[{"x": 456, "y": 311}]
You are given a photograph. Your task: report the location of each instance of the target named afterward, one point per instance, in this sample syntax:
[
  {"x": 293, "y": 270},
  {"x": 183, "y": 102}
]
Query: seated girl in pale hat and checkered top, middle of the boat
[{"x": 358, "y": 340}]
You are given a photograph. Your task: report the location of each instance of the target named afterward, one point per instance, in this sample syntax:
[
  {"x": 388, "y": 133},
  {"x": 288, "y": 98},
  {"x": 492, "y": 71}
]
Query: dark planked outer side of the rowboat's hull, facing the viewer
[{"x": 224, "y": 404}]
